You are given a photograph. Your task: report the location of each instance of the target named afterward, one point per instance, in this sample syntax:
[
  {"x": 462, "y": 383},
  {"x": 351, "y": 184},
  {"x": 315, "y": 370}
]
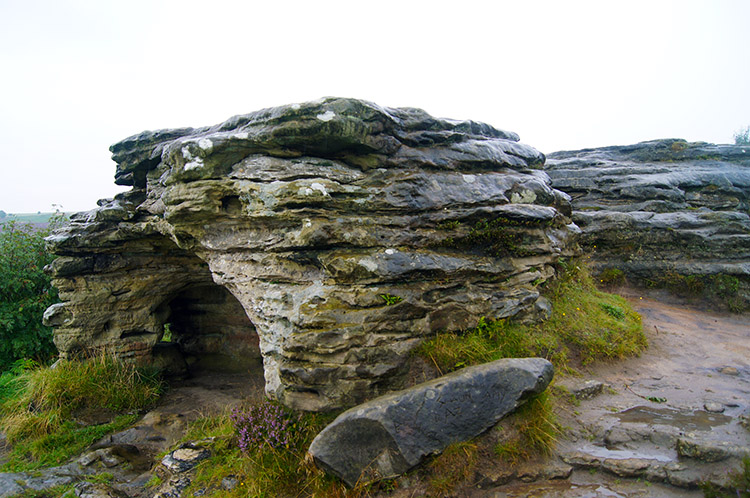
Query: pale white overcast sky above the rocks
[{"x": 77, "y": 76}]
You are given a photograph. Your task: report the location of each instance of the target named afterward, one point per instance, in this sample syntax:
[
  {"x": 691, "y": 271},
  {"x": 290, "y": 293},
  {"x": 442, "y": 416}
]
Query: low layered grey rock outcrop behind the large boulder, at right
[{"x": 664, "y": 209}]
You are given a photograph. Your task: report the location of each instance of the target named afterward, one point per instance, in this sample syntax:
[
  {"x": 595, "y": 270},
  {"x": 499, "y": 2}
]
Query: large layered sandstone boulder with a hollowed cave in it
[{"x": 327, "y": 237}]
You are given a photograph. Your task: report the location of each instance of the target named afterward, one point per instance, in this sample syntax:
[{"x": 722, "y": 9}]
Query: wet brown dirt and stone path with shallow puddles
[{"x": 696, "y": 373}]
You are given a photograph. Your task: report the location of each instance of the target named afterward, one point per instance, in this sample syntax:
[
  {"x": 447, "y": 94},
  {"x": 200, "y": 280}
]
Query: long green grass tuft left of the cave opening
[{"x": 41, "y": 408}]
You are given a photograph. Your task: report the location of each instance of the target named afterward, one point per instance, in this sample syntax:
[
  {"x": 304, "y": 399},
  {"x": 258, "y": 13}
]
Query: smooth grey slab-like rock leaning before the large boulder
[{"x": 389, "y": 435}]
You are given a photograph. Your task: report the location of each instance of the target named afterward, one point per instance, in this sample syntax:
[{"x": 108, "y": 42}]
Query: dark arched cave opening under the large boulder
[{"x": 205, "y": 329}]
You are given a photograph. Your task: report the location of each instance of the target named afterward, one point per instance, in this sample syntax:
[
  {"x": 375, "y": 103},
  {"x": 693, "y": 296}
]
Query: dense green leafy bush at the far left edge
[{"x": 25, "y": 292}]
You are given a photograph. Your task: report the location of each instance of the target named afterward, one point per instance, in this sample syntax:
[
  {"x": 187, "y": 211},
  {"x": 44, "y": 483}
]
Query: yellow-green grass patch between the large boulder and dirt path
[{"x": 586, "y": 325}]
